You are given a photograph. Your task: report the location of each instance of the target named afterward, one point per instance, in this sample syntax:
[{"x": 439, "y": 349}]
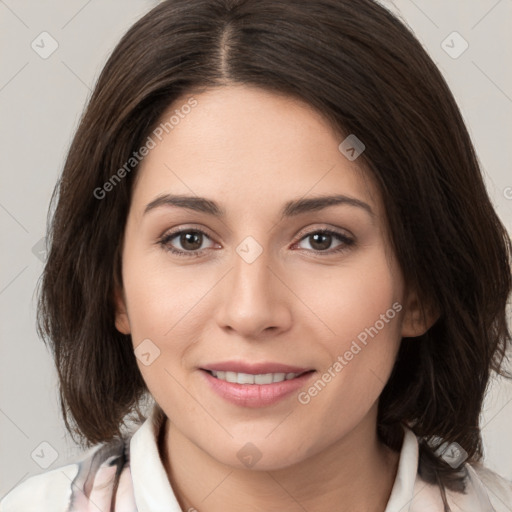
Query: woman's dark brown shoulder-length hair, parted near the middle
[{"x": 360, "y": 67}]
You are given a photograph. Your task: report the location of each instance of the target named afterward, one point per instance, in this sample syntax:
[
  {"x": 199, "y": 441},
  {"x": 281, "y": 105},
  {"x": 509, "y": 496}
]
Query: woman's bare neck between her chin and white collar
[{"x": 355, "y": 473}]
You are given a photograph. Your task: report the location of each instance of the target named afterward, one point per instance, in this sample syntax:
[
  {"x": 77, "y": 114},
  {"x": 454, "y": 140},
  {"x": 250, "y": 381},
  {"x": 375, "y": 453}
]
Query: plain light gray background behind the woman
[{"x": 41, "y": 100}]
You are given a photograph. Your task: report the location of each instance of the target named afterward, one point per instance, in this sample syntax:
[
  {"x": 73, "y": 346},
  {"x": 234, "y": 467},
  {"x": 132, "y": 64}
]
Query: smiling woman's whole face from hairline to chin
[{"x": 254, "y": 287}]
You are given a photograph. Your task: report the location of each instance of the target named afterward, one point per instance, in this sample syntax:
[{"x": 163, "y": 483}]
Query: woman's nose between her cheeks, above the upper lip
[{"x": 254, "y": 300}]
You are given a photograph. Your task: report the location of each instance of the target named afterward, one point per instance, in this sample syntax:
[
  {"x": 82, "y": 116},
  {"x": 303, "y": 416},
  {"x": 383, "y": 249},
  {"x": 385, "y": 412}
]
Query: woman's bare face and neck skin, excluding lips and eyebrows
[{"x": 298, "y": 303}]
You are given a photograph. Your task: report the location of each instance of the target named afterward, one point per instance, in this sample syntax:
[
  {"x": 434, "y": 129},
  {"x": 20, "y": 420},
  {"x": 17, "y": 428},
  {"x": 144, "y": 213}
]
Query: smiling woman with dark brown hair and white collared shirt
[{"x": 272, "y": 224}]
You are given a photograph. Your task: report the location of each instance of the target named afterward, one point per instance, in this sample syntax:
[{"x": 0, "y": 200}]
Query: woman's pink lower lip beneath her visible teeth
[{"x": 256, "y": 395}]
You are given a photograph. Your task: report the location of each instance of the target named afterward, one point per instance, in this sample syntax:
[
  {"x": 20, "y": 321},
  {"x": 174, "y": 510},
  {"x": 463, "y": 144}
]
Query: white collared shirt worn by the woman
[{"x": 144, "y": 485}]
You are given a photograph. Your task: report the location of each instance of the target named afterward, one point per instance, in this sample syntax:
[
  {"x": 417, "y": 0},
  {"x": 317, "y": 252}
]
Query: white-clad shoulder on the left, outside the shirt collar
[{"x": 67, "y": 487}]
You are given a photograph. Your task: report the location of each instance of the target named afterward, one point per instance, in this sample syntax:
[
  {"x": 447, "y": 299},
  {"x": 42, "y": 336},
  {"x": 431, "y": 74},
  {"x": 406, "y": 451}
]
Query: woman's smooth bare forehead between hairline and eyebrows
[{"x": 249, "y": 149}]
